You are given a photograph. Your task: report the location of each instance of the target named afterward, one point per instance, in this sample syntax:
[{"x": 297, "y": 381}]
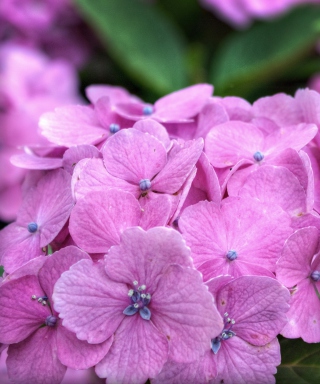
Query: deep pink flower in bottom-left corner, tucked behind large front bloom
[{"x": 40, "y": 347}]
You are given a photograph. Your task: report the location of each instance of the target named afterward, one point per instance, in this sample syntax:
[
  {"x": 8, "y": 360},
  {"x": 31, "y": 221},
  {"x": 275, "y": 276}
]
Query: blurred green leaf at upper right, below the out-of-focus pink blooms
[{"x": 264, "y": 52}]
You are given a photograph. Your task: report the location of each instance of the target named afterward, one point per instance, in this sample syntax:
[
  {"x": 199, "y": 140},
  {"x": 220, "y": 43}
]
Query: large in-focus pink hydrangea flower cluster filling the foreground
[{"x": 171, "y": 242}]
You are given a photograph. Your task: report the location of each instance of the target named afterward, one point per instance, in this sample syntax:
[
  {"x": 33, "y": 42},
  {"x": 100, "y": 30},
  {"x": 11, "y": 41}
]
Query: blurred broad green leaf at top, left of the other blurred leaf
[{"x": 141, "y": 39}]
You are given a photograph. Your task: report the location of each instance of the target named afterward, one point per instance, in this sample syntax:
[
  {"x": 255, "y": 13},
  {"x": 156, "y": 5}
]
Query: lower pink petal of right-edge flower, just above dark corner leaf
[{"x": 304, "y": 313}]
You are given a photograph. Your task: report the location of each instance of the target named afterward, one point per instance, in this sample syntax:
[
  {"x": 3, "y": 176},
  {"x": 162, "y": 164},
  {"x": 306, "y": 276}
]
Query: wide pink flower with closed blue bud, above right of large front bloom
[{"x": 241, "y": 237}]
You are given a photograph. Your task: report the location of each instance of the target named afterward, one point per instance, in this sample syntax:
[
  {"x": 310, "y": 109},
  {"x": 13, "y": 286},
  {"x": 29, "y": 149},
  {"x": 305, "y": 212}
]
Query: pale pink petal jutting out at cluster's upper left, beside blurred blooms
[{"x": 72, "y": 125}]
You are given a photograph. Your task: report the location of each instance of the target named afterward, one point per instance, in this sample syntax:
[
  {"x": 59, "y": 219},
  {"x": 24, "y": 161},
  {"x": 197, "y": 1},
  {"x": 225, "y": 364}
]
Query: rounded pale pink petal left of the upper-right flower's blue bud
[{"x": 230, "y": 142}]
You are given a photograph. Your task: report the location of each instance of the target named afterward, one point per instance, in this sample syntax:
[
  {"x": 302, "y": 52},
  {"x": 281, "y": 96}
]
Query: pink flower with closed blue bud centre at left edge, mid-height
[{"x": 44, "y": 211}]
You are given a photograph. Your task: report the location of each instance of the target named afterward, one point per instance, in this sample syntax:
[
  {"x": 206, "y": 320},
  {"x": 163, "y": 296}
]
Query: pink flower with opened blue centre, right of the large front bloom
[{"x": 254, "y": 310}]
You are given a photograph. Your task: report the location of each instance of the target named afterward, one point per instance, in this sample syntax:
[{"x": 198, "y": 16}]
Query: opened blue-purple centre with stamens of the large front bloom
[{"x": 139, "y": 301}]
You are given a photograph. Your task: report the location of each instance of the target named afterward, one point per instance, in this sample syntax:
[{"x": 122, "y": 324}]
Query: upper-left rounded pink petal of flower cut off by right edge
[{"x": 298, "y": 251}]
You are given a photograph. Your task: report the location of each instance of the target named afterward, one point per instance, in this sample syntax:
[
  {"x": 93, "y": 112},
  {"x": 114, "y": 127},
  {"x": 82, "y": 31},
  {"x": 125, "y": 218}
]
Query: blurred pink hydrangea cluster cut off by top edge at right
[{"x": 240, "y": 13}]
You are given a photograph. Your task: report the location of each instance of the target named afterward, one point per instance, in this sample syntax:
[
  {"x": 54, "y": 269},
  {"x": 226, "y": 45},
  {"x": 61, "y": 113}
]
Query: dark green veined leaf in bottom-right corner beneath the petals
[{"x": 300, "y": 362}]
